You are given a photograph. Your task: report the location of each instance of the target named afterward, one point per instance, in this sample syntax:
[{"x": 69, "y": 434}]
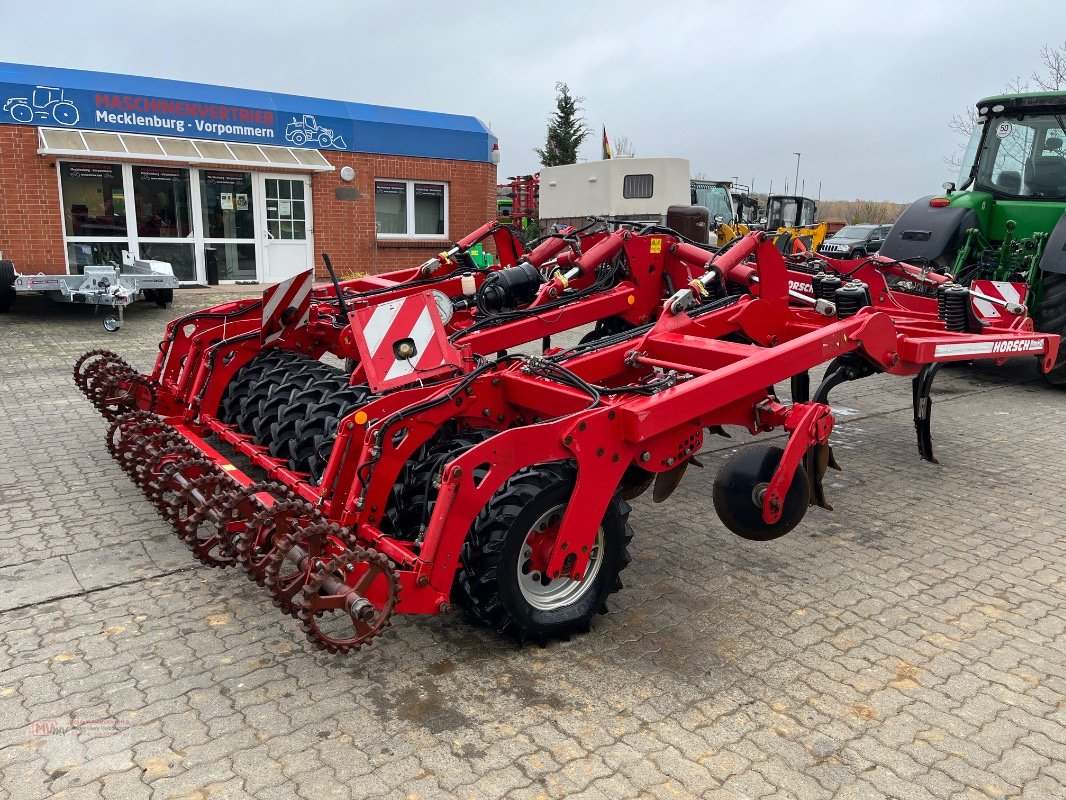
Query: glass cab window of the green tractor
[{"x": 1025, "y": 157}]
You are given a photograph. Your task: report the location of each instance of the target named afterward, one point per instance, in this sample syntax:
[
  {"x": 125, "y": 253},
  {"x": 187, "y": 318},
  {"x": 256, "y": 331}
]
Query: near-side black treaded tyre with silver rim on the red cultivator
[{"x": 499, "y": 582}]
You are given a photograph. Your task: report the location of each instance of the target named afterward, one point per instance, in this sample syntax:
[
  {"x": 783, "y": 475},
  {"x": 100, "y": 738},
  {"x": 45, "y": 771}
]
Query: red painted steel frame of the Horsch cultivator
[{"x": 722, "y": 358}]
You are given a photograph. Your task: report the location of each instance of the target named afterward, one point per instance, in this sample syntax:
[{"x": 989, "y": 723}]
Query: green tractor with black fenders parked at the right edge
[{"x": 1006, "y": 220}]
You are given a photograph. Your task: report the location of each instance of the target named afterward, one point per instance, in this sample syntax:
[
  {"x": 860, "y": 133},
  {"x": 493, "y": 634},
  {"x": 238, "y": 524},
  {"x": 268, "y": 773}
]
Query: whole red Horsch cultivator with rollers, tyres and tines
[{"x": 437, "y": 469}]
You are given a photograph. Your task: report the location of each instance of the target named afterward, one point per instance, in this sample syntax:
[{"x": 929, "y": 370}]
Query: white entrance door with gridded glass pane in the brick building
[{"x": 288, "y": 246}]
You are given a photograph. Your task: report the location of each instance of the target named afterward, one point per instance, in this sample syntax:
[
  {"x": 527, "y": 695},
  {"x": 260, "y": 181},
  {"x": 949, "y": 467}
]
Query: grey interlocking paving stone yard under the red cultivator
[{"x": 912, "y": 644}]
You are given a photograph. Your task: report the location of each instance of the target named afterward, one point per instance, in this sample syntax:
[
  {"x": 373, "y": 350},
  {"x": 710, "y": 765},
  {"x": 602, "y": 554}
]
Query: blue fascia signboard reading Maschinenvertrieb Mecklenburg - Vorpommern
[{"x": 71, "y": 99}]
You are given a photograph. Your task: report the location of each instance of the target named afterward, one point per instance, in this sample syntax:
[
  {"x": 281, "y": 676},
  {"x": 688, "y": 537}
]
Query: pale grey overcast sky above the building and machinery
[{"x": 863, "y": 90}]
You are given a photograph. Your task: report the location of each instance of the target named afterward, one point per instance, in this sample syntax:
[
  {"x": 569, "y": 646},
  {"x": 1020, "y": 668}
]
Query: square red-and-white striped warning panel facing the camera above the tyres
[{"x": 402, "y": 342}]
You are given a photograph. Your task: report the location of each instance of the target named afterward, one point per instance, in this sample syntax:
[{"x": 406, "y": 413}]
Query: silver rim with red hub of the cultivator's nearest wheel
[{"x": 542, "y": 593}]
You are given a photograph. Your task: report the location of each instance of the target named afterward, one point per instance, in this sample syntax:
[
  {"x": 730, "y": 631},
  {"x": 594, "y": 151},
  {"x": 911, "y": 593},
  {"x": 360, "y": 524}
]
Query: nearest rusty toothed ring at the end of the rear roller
[{"x": 349, "y": 601}]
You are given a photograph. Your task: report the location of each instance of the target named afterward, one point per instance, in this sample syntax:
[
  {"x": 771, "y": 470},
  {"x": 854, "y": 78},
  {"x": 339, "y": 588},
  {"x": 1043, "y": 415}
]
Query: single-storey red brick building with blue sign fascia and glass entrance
[{"x": 229, "y": 184}]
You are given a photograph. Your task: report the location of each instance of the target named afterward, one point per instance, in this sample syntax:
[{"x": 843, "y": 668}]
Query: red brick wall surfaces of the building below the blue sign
[{"x": 31, "y": 221}]
